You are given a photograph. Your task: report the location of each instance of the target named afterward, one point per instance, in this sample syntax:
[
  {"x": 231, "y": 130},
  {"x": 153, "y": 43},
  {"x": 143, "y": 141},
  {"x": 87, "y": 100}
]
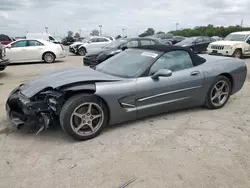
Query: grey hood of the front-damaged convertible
[{"x": 64, "y": 77}]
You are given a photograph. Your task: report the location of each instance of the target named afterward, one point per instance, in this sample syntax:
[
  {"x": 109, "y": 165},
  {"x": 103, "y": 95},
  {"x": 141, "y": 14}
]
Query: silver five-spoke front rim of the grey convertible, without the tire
[{"x": 86, "y": 119}]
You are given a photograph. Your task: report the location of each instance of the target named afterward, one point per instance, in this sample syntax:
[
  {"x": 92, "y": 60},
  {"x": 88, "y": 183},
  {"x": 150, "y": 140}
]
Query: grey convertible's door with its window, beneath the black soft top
[{"x": 184, "y": 88}]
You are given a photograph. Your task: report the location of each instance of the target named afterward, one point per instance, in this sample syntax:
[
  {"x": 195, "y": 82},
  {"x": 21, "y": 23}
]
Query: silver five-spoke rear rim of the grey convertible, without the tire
[{"x": 220, "y": 93}]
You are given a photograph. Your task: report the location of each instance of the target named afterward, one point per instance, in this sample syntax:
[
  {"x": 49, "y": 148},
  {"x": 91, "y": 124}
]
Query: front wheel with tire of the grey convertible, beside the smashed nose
[{"x": 79, "y": 104}]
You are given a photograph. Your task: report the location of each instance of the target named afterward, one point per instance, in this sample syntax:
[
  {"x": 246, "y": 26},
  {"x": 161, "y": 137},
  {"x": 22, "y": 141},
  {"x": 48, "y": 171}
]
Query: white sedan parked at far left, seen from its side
[{"x": 33, "y": 50}]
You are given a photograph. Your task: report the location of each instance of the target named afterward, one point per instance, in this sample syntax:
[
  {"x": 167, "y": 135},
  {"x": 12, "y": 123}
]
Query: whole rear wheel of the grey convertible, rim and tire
[{"x": 219, "y": 93}]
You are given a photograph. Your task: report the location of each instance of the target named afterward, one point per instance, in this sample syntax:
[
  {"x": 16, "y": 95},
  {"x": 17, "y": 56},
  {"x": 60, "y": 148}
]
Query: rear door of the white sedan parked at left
[{"x": 35, "y": 50}]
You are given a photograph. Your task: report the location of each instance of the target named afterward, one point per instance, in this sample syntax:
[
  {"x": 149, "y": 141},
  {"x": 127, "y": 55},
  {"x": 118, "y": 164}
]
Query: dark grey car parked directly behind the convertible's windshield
[{"x": 95, "y": 58}]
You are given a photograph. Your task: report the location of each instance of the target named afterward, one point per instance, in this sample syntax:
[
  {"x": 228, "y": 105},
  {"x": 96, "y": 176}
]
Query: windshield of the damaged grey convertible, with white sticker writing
[{"x": 128, "y": 63}]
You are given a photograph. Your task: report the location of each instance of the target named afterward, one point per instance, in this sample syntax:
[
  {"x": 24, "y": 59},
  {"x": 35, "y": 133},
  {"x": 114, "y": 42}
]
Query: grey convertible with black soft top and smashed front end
[{"x": 133, "y": 84}]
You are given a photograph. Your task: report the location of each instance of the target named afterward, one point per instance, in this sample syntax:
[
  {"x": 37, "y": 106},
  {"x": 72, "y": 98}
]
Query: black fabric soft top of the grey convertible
[{"x": 197, "y": 60}]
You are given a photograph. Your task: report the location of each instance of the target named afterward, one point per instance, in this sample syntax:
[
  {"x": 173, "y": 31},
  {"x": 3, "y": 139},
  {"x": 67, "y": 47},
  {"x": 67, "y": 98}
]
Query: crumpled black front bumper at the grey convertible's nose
[{"x": 22, "y": 112}]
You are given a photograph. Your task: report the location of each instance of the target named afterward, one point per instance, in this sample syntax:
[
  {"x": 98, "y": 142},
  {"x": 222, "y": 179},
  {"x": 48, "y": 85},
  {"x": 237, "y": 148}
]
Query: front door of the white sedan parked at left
[{"x": 17, "y": 51}]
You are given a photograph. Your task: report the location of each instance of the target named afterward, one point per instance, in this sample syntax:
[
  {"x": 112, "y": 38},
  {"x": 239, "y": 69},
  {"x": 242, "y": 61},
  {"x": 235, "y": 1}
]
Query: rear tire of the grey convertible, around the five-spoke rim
[{"x": 210, "y": 103}]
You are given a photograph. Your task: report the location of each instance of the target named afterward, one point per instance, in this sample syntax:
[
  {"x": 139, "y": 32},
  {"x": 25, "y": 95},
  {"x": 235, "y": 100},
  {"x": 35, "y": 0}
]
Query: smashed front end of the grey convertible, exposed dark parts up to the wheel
[{"x": 38, "y": 112}]
